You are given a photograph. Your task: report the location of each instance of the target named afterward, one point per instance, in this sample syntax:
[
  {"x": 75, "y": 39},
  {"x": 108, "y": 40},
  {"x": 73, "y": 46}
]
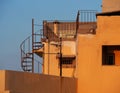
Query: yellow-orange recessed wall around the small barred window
[{"x": 51, "y": 61}]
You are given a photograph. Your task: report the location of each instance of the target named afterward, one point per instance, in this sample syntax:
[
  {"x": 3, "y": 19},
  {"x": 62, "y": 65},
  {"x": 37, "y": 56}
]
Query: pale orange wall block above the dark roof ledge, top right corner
[{"x": 110, "y": 5}]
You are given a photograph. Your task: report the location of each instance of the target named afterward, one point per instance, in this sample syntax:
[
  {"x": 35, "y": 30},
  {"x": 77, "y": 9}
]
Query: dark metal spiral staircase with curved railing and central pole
[{"x": 28, "y": 46}]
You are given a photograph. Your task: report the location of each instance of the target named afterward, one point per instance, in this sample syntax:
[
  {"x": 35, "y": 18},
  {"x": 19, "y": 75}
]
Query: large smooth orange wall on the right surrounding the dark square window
[{"x": 93, "y": 77}]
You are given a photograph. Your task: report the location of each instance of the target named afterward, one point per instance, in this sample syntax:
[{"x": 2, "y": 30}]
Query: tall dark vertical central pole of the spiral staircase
[{"x": 32, "y": 45}]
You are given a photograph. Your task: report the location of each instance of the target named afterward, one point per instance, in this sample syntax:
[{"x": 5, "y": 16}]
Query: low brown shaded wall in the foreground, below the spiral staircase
[{"x": 22, "y": 82}]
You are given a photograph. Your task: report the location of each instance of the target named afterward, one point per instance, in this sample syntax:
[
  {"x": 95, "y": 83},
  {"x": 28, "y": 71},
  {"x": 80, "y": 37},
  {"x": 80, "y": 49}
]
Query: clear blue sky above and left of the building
[{"x": 15, "y": 22}]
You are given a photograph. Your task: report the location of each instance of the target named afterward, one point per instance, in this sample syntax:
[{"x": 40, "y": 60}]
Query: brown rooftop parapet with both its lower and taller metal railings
[{"x": 53, "y": 30}]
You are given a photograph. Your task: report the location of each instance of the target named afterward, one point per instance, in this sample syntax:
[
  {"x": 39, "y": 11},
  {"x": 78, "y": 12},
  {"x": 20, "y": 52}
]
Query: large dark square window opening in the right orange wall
[{"x": 111, "y": 55}]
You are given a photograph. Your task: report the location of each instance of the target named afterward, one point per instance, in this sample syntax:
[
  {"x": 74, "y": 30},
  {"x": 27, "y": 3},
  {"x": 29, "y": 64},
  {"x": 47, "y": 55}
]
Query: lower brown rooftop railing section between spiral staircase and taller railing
[{"x": 63, "y": 29}]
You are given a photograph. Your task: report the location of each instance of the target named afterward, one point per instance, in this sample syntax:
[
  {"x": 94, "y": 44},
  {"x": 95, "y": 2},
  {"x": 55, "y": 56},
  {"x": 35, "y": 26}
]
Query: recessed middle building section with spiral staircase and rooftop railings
[{"x": 56, "y": 38}]
